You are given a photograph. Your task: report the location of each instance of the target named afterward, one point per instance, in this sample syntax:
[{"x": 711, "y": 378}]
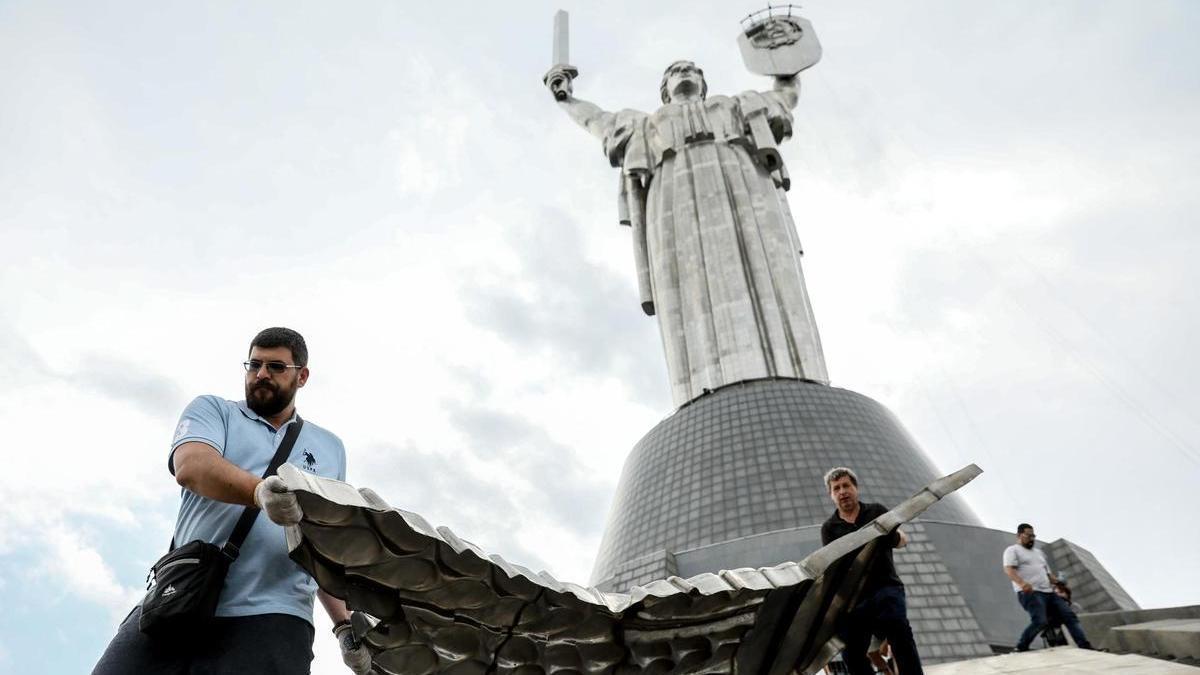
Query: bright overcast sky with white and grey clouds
[{"x": 998, "y": 205}]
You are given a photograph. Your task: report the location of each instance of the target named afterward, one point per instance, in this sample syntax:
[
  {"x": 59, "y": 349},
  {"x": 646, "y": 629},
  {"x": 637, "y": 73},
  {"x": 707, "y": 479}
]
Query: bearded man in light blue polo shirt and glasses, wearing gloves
[{"x": 263, "y": 620}]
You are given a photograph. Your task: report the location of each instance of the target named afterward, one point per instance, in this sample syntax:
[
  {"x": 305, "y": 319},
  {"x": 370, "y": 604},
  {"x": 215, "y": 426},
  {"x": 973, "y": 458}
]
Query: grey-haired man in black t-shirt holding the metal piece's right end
[{"x": 881, "y": 608}]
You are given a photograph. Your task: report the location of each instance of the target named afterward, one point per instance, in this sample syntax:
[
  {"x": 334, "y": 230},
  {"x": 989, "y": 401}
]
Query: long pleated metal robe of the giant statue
[{"x": 718, "y": 258}]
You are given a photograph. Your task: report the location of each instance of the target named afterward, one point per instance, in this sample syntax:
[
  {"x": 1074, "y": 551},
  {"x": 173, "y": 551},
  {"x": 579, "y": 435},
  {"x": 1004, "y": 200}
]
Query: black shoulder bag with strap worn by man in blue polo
[{"x": 188, "y": 581}]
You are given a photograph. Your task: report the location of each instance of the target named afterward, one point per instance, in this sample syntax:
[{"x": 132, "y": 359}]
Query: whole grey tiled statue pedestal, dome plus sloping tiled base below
[{"x": 735, "y": 480}]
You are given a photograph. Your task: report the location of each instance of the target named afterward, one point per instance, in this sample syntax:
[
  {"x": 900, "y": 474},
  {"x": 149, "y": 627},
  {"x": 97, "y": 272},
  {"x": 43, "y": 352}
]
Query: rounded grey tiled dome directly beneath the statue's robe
[{"x": 749, "y": 459}]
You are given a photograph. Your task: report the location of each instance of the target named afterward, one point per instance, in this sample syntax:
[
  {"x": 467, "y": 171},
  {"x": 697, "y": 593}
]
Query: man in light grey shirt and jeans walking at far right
[{"x": 1028, "y": 569}]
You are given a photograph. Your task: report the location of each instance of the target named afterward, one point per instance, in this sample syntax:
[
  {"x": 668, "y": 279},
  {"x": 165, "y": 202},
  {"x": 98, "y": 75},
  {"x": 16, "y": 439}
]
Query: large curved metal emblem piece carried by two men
[{"x": 430, "y": 604}]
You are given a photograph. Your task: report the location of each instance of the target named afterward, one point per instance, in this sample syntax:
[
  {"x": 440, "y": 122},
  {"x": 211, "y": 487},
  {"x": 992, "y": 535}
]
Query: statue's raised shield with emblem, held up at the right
[{"x": 779, "y": 46}]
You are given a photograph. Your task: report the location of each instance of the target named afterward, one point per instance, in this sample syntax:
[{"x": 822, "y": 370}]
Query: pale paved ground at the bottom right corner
[{"x": 1064, "y": 660}]
